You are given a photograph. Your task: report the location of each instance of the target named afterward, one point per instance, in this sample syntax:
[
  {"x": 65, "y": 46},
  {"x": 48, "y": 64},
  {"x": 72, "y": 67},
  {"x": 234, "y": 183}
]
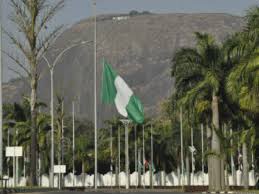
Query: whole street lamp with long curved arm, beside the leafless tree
[{"x": 51, "y": 68}]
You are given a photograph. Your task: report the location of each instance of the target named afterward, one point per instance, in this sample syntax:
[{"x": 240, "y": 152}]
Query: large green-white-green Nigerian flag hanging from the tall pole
[{"x": 115, "y": 90}]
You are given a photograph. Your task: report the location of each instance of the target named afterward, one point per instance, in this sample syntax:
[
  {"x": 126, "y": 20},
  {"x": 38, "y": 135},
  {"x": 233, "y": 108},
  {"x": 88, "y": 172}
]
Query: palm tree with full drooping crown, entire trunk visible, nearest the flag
[{"x": 200, "y": 72}]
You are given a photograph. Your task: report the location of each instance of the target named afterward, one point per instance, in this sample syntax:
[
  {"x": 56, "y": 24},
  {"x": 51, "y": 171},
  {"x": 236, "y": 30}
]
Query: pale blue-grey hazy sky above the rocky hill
[{"x": 75, "y": 10}]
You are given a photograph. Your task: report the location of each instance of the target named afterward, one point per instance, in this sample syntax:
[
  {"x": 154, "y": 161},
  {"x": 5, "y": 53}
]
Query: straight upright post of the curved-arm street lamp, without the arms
[{"x": 52, "y": 128}]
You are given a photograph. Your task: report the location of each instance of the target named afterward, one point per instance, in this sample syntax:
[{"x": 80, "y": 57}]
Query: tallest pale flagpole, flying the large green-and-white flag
[{"x": 95, "y": 101}]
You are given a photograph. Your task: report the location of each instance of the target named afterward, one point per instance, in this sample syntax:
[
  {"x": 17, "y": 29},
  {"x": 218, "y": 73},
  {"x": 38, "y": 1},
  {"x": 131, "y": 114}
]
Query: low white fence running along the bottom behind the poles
[{"x": 159, "y": 179}]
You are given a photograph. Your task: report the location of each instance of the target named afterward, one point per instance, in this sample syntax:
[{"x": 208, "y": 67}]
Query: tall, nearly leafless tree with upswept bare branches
[{"x": 31, "y": 18}]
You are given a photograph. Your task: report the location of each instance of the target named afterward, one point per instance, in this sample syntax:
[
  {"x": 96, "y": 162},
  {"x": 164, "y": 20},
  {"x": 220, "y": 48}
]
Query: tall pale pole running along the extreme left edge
[{"x": 1, "y": 102}]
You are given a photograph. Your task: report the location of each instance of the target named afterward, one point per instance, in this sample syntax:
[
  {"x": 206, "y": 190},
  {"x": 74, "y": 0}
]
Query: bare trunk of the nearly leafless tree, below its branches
[{"x": 33, "y": 174}]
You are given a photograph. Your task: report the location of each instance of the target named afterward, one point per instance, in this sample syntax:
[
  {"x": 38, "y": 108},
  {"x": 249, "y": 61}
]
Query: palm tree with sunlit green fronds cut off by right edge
[{"x": 243, "y": 83}]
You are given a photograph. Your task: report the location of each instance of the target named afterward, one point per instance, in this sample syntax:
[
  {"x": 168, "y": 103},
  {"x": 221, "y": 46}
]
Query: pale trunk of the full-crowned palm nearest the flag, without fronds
[{"x": 217, "y": 171}]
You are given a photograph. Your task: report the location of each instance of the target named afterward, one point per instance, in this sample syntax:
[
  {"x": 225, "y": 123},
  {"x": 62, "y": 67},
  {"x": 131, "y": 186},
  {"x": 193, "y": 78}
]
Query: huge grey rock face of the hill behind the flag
[{"x": 140, "y": 48}]
